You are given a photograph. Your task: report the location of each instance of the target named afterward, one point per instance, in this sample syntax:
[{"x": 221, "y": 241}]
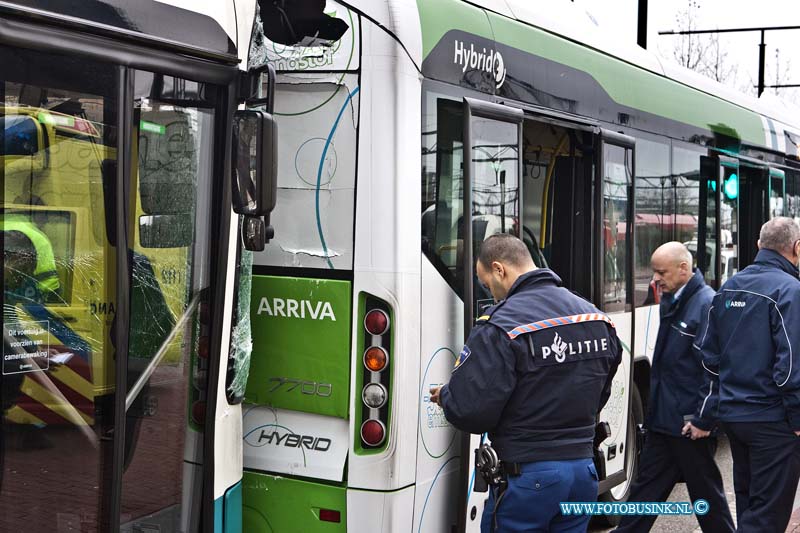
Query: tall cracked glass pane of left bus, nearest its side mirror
[{"x": 170, "y": 220}]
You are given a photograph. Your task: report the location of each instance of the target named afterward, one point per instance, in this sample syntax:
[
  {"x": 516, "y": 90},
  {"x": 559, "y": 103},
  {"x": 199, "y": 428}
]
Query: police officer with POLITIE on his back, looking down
[{"x": 534, "y": 373}]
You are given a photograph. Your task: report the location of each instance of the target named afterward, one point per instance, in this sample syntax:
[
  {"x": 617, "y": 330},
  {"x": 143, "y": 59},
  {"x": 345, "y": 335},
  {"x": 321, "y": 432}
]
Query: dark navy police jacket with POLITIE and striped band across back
[{"x": 534, "y": 373}]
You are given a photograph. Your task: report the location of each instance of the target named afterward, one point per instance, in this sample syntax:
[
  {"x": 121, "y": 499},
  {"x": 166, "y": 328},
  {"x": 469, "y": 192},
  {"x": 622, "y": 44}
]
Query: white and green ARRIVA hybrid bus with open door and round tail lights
[{"x": 533, "y": 122}]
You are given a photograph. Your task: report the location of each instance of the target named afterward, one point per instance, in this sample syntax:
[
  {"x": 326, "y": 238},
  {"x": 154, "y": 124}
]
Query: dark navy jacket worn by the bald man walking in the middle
[{"x": 677, "y": 372}]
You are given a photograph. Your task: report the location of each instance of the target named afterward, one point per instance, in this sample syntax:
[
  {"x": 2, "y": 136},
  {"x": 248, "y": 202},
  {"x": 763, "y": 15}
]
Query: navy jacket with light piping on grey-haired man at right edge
[{"x": 750, "y": 346}]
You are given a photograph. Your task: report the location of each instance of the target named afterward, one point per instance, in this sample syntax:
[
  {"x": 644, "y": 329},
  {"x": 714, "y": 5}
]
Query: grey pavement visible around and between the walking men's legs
[{"x": 684, "y": 524}]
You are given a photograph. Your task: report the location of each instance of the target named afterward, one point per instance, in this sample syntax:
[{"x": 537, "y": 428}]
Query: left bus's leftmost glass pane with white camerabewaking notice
[{"x": 57, "y": 121}]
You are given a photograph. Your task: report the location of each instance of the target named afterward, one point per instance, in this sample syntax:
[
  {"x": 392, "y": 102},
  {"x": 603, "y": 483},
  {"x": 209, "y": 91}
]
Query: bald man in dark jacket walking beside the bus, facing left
[{"x": 676, "y": 376}]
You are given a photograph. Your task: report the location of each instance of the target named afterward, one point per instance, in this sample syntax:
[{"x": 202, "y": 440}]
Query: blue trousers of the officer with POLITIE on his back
[{"x": 530, "y": 503}]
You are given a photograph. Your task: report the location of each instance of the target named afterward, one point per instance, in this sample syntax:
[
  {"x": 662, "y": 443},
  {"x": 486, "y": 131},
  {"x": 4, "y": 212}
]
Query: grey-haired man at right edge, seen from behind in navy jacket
[{"x": 751, "y": 350}]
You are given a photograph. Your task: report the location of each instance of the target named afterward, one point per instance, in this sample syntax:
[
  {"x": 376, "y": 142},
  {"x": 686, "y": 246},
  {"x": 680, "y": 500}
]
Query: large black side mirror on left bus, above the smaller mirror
[{"x": 255, "y": 163}]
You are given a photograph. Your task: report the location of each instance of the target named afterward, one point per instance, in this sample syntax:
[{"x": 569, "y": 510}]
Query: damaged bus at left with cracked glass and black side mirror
[{"x": 119, "y": 144}]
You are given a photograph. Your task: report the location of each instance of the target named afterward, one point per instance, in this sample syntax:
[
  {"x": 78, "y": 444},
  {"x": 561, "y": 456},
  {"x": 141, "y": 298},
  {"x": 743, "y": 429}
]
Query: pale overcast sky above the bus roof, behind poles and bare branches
[{"x": 620, "y": 17}]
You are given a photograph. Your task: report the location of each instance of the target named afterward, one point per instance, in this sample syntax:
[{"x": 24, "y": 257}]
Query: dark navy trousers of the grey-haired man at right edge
[{"x": 766, "y": 468}]
